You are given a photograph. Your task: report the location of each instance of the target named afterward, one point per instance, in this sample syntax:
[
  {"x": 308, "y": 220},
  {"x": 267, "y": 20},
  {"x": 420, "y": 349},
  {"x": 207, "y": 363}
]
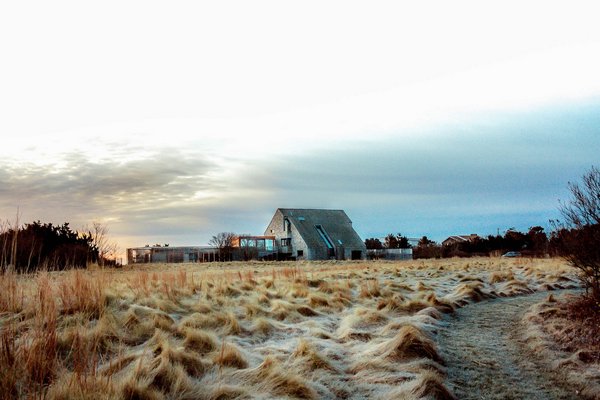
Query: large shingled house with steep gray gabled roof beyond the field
[{"x": 315, "y": 234}]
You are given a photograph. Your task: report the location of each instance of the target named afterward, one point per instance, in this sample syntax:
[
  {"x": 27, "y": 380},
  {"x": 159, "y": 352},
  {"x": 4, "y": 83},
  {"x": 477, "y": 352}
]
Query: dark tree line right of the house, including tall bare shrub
[{"x": 576, "y": 238}]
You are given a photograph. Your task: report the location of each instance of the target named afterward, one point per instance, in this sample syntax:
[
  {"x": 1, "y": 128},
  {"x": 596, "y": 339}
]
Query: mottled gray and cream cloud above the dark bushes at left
[{"x": 152, "y": 192}]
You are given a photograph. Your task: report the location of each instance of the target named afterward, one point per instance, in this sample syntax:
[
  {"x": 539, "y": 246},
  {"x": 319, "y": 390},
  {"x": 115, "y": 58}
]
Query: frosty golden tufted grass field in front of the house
[{"x": 245, "y": 330}]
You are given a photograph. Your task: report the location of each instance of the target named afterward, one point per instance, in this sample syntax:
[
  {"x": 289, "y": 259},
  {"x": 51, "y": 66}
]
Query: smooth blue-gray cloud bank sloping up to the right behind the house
[{"x": 498, "y": 171}]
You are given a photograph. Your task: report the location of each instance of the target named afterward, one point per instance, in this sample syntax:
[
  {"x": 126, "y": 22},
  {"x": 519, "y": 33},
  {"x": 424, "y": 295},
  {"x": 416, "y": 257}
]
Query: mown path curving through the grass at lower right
[{"x": 486, "y": 357}]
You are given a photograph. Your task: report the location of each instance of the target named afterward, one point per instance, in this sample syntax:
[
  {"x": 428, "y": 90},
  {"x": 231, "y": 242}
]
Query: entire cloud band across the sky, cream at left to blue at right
[{"x": 497, "y": 171}]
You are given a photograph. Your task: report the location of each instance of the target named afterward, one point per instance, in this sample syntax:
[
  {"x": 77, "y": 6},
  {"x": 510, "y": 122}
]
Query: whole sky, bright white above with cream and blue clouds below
[{"x": 170, "y": 122}]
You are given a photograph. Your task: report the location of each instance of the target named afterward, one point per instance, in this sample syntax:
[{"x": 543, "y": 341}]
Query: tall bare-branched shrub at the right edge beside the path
[{"x": 579, "y": 235}]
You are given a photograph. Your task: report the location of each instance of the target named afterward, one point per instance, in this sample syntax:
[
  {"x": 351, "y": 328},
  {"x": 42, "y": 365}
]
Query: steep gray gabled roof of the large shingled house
[{"x": 335, "y": 223}]
